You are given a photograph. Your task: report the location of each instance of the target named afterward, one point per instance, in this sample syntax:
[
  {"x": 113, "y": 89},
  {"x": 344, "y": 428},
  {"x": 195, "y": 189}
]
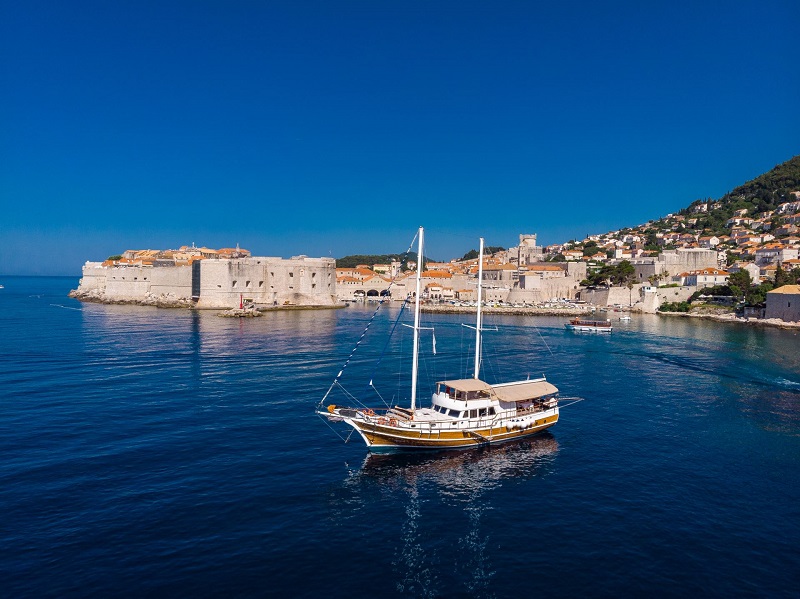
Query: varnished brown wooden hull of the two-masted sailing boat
[{"x": 383, "y": 437}]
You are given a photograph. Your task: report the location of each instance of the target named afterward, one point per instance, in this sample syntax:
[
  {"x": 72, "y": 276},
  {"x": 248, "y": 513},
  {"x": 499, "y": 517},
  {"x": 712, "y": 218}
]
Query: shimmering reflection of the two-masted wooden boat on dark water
[{"x": 419, "y": 485}]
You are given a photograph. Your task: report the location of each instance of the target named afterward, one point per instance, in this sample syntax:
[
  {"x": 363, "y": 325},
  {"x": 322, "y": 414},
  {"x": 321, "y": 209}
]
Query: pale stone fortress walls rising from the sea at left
[{"x": 213, "y": 283}]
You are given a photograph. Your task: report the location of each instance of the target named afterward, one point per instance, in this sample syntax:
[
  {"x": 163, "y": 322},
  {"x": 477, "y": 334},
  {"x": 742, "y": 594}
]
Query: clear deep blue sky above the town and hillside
[{"x": 333, "y": 127}]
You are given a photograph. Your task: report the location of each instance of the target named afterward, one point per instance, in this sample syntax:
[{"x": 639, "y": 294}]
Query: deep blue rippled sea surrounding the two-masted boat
[{"x": 164, "y": 453}]
